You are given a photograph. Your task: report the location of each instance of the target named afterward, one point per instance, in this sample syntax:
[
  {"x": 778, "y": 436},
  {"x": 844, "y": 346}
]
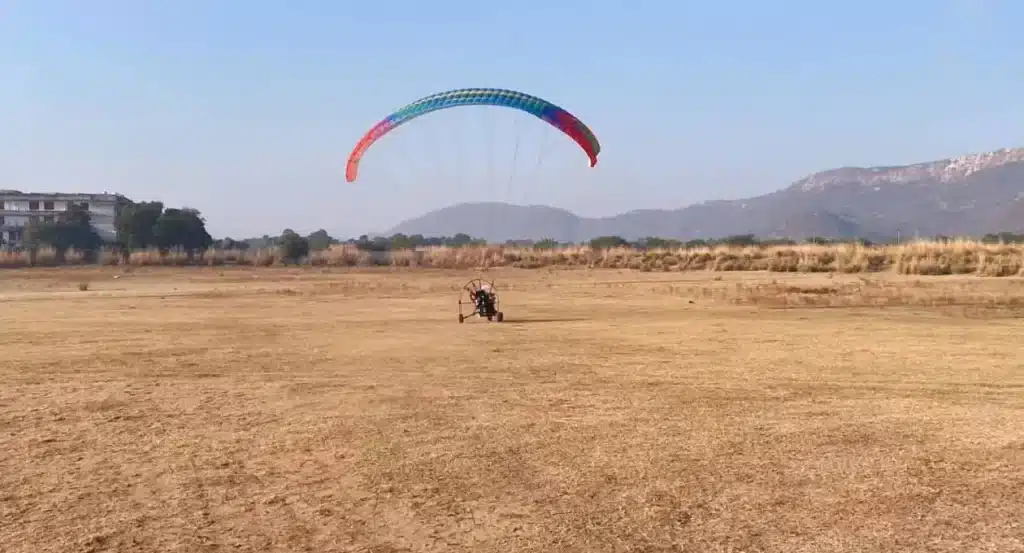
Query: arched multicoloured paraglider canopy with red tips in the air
[{"x": 558, "y": 117}]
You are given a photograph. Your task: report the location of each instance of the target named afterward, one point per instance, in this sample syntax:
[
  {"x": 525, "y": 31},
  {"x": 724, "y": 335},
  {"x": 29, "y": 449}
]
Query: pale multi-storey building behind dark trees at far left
[{"x": 20, "y": 209}]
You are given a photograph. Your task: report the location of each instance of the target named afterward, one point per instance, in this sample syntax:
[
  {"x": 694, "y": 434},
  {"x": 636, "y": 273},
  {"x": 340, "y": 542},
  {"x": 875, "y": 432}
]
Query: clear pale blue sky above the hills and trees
[{"x": 247, "y": 110}]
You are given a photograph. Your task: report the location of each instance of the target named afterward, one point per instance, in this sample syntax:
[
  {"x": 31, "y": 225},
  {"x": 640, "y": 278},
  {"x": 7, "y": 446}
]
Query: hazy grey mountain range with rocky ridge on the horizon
[{"x": 966, "y": 196}]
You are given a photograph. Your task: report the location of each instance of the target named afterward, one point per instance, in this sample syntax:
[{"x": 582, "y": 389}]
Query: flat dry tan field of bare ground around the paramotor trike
[{"x": 308, "y": 410}]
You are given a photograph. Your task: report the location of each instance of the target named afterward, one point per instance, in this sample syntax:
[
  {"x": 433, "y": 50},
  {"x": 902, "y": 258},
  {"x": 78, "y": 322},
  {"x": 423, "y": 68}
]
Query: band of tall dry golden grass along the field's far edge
[{"x": 959, "y": 258}]
